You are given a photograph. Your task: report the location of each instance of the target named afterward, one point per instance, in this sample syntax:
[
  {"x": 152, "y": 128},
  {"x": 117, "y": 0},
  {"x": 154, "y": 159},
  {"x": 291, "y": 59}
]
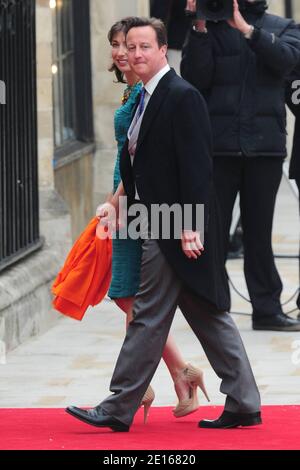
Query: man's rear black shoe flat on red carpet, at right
[{"x": 229, "y": 420}]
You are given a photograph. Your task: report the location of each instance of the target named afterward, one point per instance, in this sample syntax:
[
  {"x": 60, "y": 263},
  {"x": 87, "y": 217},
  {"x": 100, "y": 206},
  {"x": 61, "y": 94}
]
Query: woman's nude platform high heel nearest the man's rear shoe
[{"x": 194, "y": 378}]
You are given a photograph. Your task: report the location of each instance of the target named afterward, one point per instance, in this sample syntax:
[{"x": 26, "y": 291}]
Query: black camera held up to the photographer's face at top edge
[{"x": 214, "y": 10}]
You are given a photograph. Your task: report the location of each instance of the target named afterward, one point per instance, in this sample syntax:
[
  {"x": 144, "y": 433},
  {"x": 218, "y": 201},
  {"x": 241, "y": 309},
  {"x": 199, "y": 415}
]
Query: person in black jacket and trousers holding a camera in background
[{"x": 240, "y": 66}]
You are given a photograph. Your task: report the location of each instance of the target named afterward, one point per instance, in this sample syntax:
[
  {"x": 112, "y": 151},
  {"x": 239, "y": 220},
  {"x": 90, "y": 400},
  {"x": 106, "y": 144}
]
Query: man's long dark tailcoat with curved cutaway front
[{"x": 173, "y": 164}]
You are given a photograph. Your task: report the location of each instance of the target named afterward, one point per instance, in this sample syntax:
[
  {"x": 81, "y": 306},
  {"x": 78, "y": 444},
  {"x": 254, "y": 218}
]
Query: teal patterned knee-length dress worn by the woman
[{"x": 127, "y": 253}]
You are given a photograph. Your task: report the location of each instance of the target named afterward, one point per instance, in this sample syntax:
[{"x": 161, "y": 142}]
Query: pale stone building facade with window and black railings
[{"x": 65, "y": 143}]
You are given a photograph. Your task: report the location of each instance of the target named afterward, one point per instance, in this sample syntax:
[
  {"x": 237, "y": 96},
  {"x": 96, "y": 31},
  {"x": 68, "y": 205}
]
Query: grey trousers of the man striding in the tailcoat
[{"x": 159, "y": 295}]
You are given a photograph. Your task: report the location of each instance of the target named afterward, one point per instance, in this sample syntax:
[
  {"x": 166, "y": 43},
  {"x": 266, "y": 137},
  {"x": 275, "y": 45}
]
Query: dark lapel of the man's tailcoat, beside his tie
[{"x": 154, "y": 104}]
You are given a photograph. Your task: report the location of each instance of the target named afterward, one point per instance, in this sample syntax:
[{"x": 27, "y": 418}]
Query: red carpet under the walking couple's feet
[{"x": 52, "y": 429}]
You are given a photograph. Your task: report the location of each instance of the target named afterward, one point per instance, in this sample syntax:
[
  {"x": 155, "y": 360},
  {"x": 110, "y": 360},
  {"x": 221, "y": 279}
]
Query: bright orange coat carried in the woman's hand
[{"x": 86, "y": 275}]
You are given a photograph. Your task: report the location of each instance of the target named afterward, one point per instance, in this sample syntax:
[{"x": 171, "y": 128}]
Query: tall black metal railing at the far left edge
[{"x": 19, "y": 218}]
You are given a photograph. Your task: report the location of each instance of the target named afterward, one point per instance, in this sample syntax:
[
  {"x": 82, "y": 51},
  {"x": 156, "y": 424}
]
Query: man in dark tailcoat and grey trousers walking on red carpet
[{"x": 168, "y": 160}]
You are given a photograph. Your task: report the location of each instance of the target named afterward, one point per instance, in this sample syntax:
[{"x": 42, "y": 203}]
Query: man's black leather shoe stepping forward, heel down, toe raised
[{"x": 97, "y": 417}]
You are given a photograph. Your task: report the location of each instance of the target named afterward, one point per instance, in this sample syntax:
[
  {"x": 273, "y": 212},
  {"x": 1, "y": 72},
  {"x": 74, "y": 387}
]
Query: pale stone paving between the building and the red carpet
[{"x": 72, "y": 363}]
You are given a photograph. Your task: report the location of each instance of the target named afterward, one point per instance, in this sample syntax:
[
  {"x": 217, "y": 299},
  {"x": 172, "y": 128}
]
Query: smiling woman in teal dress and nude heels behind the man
[{"x": 127, "y": 252}]
